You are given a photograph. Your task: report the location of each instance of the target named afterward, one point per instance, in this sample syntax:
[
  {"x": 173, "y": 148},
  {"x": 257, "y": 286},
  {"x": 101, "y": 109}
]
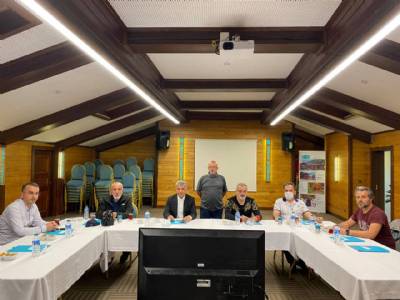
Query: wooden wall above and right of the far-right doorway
[{"x": 392, "y": 138}]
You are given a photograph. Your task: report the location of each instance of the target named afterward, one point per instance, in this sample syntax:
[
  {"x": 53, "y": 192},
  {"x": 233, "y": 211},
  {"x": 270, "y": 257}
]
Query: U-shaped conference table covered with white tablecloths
[{"x": 355, "y": 275}]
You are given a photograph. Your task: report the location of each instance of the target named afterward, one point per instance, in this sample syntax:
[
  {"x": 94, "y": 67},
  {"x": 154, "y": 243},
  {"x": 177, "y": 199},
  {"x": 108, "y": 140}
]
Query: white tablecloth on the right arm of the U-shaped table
[{"x": 356, "y": 275}]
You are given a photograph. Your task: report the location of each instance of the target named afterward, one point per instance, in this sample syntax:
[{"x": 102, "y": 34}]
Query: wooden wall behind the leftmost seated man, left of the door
[{"x": 18, "y": 168}]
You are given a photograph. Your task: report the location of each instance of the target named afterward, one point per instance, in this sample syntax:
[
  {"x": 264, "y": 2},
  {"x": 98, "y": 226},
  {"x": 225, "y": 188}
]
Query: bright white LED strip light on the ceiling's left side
[{"x": 45, "y": 16}]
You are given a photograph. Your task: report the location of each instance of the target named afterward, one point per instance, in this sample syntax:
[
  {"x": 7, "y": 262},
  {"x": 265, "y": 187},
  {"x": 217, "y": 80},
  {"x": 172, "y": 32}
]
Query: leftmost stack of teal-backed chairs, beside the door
[{"x": 75, "y": 187}]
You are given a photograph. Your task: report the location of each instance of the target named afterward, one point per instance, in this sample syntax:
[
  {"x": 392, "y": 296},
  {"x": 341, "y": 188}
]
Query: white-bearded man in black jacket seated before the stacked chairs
[{"x": 119, "y": 204}]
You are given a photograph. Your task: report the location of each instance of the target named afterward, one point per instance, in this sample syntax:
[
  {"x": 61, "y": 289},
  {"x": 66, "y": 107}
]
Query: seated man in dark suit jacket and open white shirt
[{"x": 180, "y": 205}]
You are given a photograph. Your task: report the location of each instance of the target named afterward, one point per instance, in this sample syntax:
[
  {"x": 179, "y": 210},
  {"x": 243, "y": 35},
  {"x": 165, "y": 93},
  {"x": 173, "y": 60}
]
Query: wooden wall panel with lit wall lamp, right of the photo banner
[{"x": 337, "y": 199}]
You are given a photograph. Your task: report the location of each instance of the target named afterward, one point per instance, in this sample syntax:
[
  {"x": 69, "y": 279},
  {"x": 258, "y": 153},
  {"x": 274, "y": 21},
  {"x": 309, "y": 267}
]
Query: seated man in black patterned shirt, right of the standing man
[{"x": 246, "y": 206}]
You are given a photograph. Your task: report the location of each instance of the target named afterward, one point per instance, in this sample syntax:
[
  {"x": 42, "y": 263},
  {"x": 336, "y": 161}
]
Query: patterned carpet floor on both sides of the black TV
[{"x": 122, "y": 281}]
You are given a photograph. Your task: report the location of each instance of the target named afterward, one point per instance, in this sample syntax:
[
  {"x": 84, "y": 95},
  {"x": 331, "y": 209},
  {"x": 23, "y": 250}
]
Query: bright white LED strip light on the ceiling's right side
[{"x": 365, "y": 47}]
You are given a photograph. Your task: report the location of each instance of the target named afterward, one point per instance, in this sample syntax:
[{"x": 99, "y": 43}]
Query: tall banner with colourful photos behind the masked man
[{"x": 312, "y": 184}]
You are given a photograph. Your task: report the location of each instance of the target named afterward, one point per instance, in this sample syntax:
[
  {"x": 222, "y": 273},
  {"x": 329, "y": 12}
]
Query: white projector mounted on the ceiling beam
[{"x": 234, "y": 46}]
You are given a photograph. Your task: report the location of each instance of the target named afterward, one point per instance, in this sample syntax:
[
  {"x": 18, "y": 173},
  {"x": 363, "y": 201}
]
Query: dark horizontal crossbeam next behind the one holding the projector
[{"x": 255, "y": 85}]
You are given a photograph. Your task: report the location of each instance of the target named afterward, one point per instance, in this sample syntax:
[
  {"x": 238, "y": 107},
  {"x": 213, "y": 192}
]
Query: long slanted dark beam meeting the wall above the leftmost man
[{"x": 67, "y": 115}]
